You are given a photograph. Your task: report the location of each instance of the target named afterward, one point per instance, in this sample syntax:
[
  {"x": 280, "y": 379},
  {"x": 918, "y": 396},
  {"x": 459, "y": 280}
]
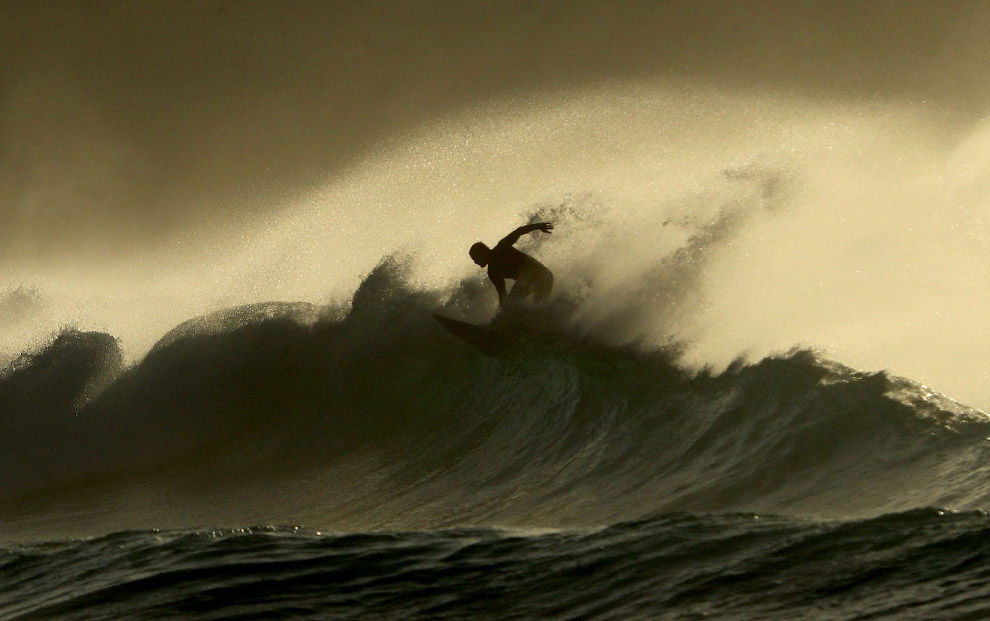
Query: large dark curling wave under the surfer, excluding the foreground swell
[{"x": 373, "y": 417}]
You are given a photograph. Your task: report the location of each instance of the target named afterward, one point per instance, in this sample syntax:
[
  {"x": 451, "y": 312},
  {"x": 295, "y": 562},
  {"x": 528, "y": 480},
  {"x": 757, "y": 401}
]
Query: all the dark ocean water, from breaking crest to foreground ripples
[{"x": 294, "y": 461}]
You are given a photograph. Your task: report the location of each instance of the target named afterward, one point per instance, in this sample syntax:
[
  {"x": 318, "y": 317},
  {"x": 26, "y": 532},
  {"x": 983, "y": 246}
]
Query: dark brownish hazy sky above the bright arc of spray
[{"x": 122, "y": 122}]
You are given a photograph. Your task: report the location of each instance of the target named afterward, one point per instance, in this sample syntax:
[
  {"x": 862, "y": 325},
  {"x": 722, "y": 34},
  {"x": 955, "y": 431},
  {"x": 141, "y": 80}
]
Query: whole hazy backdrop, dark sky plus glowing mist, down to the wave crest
[{"x": 825, "y": 165}]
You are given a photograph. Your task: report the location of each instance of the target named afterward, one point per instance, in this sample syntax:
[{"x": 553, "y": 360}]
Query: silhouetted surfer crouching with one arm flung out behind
[{"x": 531, "y": 277}]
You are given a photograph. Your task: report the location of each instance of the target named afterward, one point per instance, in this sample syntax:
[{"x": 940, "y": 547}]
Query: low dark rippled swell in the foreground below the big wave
[{"x": 920, "y": 564}]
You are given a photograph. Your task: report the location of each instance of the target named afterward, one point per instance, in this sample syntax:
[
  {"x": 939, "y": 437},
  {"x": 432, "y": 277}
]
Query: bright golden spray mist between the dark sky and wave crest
[{"x": 738, "y": 222}]
